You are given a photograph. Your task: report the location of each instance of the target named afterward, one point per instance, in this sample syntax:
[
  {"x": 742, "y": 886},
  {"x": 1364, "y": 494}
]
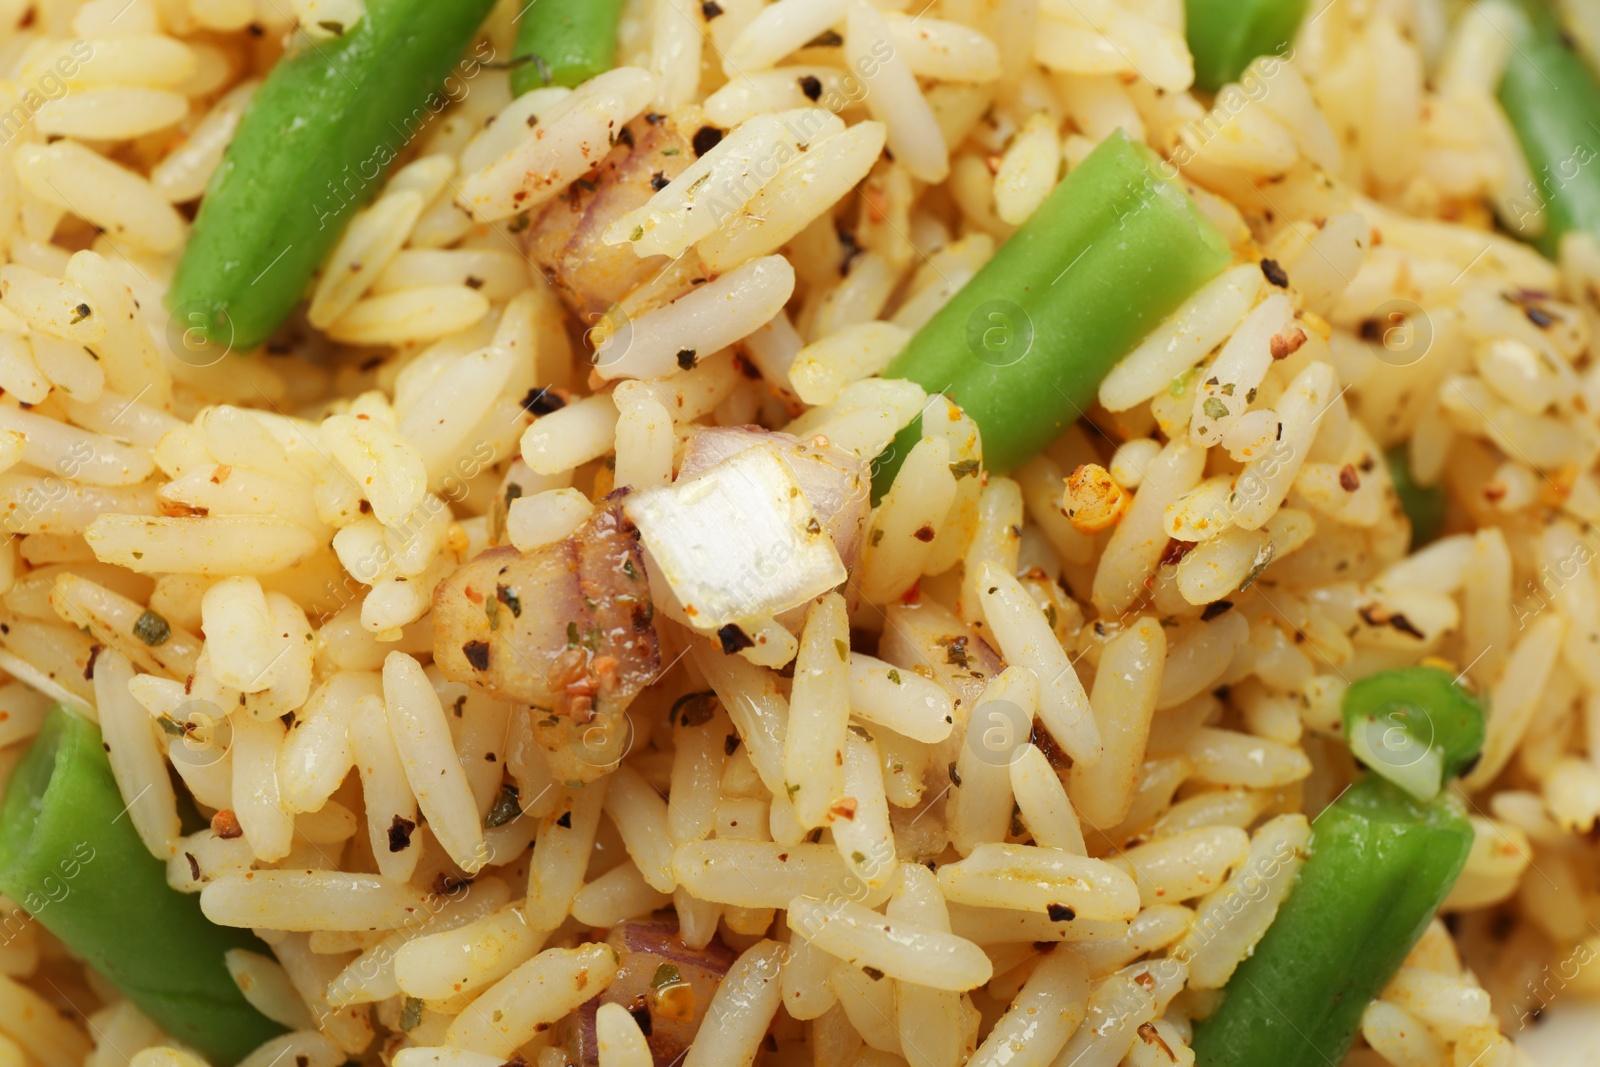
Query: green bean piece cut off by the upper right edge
[{"x": 1553, "y": 100}]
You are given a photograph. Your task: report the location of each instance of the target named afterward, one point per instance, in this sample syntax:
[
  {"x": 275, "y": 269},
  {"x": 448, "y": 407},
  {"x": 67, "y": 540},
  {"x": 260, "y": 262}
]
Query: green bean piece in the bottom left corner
[{"x": 74, "y": 861}]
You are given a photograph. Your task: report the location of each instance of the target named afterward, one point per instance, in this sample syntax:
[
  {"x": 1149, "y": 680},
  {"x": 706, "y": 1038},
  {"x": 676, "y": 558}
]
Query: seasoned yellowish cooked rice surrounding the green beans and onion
[{"x": 1158, "y": 617}]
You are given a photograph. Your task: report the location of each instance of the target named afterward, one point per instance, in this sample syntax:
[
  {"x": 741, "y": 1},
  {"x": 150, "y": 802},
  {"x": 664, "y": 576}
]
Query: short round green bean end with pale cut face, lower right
[{"x": 1415, "y": 727}]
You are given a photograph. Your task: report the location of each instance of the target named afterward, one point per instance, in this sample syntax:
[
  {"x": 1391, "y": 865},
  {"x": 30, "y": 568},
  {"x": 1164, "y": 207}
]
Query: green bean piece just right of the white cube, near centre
[{"x": 1025, "y": 345}]
